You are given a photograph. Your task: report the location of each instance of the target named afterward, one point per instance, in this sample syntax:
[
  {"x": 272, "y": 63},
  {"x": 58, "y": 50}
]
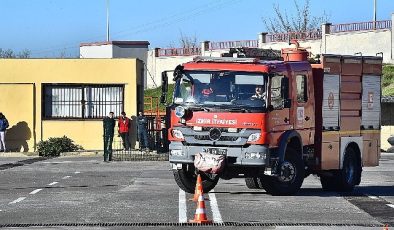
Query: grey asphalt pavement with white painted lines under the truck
[{"x": 86, "y": 193}]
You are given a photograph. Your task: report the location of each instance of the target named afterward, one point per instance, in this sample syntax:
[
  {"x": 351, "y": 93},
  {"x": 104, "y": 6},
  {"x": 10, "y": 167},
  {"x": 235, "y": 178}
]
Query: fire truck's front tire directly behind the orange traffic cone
[{"x": 186, "y": 179}]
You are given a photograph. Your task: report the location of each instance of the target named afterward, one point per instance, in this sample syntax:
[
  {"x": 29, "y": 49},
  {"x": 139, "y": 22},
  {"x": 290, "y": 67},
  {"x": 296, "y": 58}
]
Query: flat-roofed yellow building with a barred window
[{"x": 44, "y": 98}]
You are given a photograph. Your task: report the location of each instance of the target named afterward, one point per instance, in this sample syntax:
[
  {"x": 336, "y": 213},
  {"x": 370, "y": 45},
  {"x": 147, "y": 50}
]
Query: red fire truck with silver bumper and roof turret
[{"x": 274, "y": 122}]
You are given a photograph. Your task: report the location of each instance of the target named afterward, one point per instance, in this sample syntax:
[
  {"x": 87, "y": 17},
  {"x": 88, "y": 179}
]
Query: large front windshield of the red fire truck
[{"x": 221, "y": 88}]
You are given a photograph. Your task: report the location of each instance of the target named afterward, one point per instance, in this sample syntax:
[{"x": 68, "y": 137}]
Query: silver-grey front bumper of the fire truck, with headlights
[{"x": 238, "y": 155}]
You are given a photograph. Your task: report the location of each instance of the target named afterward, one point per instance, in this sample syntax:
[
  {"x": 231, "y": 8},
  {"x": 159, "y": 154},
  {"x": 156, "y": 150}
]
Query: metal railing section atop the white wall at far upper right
[{"x": 360, "y": 26}]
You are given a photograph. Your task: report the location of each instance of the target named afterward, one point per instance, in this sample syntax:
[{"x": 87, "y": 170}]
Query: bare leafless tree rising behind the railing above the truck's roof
[{"x": 302, "y": 21}]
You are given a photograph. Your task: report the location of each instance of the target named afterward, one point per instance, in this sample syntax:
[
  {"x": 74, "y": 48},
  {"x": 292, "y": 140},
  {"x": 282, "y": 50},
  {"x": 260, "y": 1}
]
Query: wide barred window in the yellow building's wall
[{"x": 82, "y": 101}]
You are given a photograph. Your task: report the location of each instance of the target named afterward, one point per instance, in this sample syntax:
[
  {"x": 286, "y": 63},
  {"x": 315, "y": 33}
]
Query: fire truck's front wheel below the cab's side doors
[{"x": 290, "y": 178}]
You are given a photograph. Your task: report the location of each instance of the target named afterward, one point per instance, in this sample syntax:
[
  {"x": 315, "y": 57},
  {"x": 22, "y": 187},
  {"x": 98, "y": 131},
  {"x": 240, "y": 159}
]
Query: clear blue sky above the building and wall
[{"x": 50, "y": 28}]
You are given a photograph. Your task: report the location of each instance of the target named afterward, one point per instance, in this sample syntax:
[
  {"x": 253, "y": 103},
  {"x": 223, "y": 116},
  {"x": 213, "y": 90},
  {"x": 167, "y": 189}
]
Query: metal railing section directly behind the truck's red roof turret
[{"x": 285, "y": 37}]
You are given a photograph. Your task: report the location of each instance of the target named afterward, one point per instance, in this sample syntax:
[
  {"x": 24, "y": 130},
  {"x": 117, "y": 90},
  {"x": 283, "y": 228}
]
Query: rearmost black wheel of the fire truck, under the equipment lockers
[{"x": 347, "y": 178}]
